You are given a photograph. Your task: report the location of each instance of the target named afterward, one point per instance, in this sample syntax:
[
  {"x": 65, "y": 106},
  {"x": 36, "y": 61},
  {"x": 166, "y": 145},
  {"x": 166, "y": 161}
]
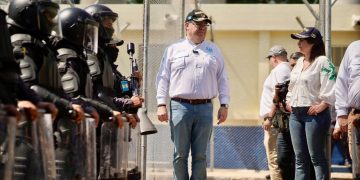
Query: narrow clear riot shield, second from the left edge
[{"x": 46, "y": 145}]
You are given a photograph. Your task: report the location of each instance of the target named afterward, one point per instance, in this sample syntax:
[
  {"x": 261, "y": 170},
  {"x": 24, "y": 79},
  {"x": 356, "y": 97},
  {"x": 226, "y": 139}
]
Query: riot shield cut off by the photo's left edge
[{"x": 7, "y": 145}]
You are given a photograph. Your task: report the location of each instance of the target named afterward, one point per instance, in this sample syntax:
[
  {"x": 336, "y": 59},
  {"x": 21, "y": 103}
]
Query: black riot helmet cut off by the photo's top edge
[{"x": 33, "y": 15}]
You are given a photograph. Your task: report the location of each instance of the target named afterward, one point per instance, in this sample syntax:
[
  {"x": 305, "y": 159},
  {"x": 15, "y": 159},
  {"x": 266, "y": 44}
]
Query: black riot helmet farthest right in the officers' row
[{"x": 106, "y": 18}]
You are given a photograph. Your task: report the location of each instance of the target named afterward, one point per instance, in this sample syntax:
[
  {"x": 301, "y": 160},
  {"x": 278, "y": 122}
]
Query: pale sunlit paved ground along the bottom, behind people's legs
[{"x": 234, "y": 174}]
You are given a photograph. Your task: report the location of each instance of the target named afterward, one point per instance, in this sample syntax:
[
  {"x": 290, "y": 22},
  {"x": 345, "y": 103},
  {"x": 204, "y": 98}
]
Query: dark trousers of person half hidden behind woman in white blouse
[{"x": 286, "y": 157}]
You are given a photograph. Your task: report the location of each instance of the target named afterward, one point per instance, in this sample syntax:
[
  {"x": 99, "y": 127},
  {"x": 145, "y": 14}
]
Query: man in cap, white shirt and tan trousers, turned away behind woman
[{"x": 281, "y": 72}]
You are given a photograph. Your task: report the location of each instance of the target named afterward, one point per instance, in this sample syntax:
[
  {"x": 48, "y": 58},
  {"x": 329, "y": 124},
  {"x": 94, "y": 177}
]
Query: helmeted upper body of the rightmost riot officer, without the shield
[{"x": 113, "y": 83}]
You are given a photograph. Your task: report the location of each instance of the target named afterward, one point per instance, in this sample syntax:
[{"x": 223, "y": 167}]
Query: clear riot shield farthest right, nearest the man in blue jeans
[{"x": 113, "y": 151}]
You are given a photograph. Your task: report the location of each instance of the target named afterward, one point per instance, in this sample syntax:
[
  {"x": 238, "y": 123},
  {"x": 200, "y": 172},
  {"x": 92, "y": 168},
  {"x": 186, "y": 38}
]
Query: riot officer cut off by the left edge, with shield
[{"x": 8, "y": 101}]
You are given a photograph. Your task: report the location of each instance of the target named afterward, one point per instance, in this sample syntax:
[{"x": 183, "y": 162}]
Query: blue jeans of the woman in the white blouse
[{"x": 308, "y": 135}]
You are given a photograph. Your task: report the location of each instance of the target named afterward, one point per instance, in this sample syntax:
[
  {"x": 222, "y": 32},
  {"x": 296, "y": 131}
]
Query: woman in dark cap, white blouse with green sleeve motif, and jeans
[{"x": 311, "y": 92}]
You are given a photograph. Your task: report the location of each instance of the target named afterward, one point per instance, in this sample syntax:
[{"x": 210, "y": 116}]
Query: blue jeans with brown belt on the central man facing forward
[{"x": 191, "y": 127}]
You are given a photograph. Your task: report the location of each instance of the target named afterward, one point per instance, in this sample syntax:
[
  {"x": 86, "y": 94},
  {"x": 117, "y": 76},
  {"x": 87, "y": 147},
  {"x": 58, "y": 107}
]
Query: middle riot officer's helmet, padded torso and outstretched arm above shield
[{"x": 78, "y": 33}]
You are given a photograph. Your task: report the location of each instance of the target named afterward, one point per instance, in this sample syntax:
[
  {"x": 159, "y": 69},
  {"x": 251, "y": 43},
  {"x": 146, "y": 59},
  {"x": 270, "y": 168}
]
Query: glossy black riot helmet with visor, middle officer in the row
[{"x": 77, "y": 26}]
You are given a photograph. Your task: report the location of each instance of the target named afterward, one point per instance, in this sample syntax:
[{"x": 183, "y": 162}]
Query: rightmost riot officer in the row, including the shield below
[{"x": 111, "y": 87}]
